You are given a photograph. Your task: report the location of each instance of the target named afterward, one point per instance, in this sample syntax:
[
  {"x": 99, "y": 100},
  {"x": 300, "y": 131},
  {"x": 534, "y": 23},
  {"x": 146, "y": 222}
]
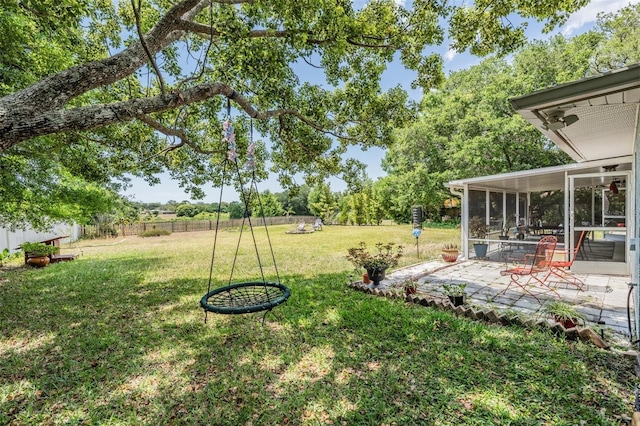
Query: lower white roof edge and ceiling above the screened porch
[{"x": 545, "y": 179}]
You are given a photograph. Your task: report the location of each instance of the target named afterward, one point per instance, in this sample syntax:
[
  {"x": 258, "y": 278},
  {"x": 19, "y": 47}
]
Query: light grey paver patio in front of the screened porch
[{"x": 603, "y": 301}]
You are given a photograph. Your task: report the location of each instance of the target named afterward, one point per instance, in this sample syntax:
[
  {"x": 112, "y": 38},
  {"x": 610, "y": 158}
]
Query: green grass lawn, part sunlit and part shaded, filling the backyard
[{"x": 117, "y": 337}]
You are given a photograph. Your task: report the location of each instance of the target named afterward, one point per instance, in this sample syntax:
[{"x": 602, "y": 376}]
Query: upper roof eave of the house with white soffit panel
[{"x": 607, "y": 108}]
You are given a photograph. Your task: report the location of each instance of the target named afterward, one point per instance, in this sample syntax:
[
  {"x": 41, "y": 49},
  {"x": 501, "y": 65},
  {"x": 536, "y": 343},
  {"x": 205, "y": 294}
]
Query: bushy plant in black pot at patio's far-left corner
[{"x": 375, "y": 263}]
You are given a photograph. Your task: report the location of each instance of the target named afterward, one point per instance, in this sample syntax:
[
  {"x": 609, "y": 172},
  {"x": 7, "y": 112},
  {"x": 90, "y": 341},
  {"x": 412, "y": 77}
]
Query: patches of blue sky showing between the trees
[{"x": 579, "y": 22}]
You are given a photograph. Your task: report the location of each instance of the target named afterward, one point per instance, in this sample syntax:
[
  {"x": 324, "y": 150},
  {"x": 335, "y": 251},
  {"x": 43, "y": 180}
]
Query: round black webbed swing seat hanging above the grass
[{"x": 245, "y": 298}]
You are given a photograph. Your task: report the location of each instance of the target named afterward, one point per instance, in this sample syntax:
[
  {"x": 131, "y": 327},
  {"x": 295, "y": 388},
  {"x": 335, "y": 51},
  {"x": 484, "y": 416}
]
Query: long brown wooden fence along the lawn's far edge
[{"x": 187, "y": 225}]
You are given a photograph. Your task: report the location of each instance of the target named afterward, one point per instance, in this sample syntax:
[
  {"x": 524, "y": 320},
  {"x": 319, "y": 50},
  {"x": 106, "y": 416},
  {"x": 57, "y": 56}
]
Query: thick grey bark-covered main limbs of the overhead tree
[{"x": 40, "y": 109}]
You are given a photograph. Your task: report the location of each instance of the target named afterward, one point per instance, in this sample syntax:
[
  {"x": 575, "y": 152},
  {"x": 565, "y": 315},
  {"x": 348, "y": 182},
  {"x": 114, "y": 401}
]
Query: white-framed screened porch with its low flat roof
[{"x": 520, "y": 208}]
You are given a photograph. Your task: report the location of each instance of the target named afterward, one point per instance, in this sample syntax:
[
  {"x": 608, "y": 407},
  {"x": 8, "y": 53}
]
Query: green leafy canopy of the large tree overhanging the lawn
[{"x": 138, "y": 87}]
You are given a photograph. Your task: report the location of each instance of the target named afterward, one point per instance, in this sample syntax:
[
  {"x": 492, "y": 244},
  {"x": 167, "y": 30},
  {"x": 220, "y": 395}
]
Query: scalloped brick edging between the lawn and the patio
[{"x": 585, "y": 334}]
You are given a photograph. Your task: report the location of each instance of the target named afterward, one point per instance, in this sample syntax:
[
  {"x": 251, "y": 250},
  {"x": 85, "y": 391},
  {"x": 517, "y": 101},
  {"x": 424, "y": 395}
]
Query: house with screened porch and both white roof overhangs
[{"x": 594, "y": 120}]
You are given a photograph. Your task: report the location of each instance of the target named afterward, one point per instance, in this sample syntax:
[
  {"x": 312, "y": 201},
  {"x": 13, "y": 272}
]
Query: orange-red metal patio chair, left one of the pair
[{"x": 533, "y": 270}]
